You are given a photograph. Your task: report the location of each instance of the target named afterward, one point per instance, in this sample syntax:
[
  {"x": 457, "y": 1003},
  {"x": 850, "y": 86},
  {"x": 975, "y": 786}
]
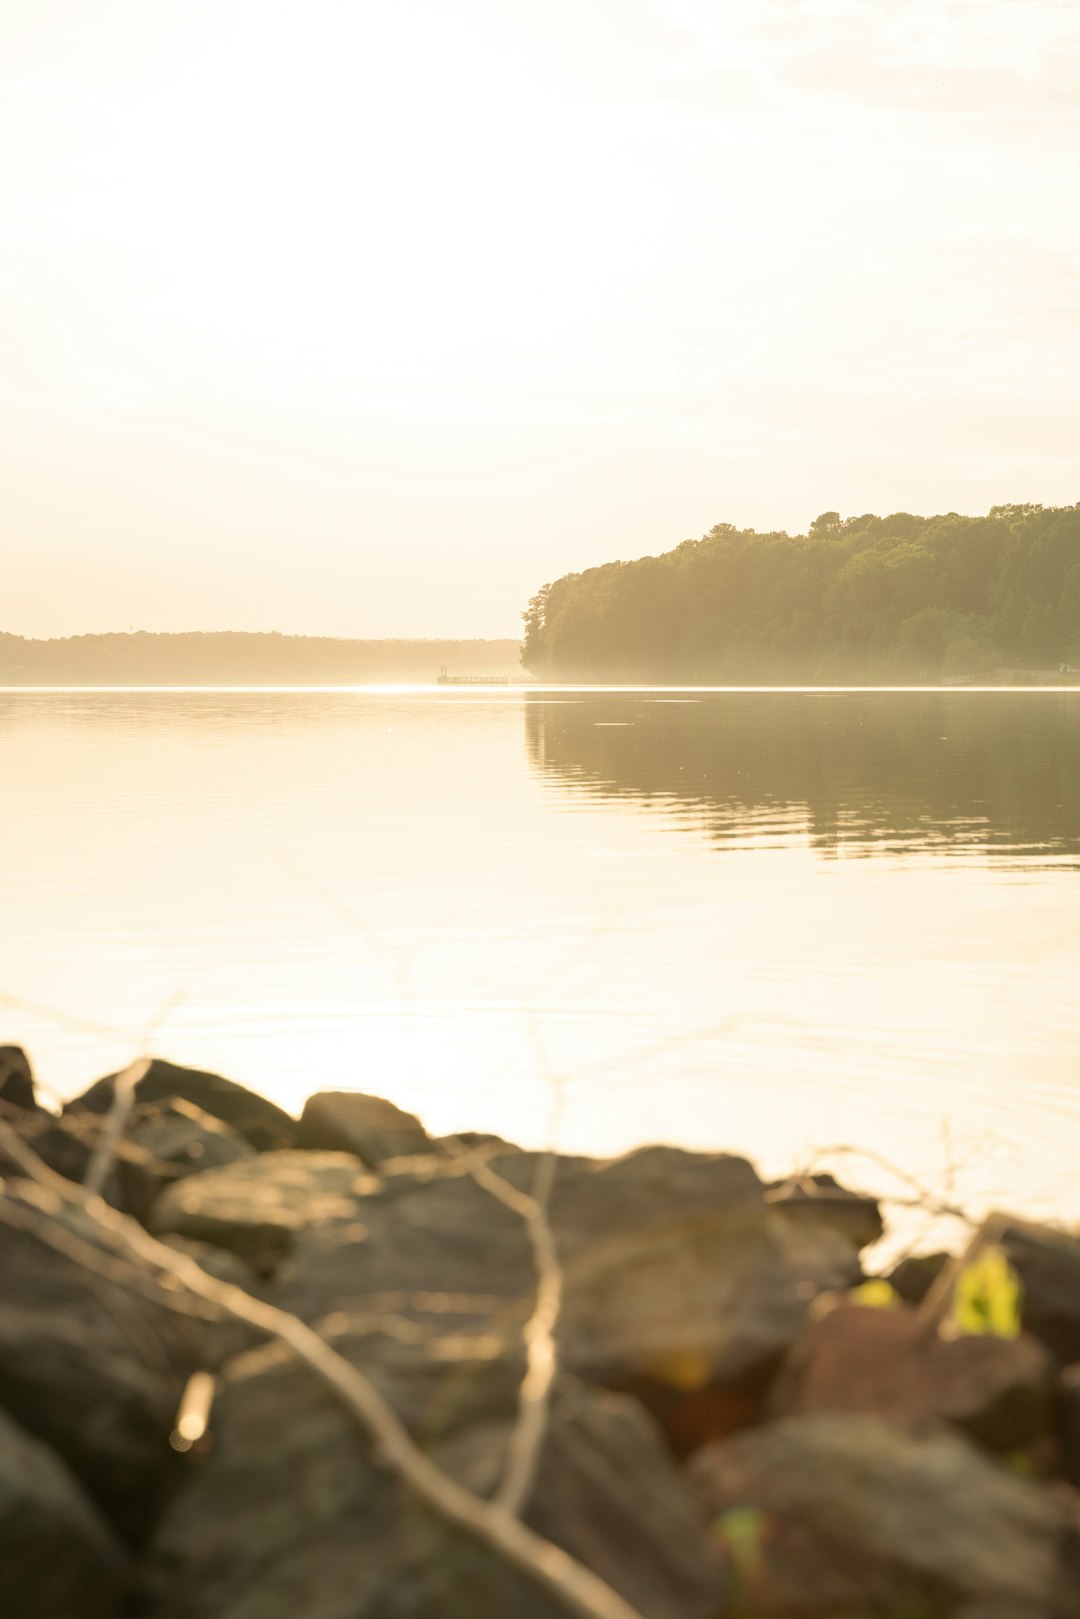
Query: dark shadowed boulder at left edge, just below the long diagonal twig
[{"x": 93, "y": 1361}]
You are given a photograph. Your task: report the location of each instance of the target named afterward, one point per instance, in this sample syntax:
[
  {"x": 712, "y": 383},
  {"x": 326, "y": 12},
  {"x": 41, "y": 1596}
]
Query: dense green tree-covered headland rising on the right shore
[{"x": 864, "y": 598}]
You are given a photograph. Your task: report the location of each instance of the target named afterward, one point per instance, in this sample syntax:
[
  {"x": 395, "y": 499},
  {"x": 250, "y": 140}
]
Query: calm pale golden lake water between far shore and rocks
[{"x": 768, "y": 922}]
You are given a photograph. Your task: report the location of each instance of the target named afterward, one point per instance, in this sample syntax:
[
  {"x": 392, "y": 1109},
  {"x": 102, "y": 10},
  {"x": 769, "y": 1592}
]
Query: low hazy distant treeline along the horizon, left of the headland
[{"x": 236, "y": 658}]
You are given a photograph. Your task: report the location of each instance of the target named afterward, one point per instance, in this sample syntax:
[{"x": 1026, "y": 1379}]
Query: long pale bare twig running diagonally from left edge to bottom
[{"x": 564, "y": 1578}]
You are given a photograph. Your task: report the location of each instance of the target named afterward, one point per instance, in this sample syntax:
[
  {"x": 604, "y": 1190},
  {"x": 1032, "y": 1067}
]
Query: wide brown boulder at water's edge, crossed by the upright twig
[{"x": 681, "y": 1285}]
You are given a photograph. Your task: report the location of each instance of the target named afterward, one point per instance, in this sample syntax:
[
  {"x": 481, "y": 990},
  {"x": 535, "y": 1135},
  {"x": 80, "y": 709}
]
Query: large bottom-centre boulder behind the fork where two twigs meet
[{"x": 292, "y": 1513}]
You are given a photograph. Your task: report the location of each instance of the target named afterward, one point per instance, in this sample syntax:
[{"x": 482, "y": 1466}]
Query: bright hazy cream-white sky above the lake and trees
[{"x": 370, "y": 317}]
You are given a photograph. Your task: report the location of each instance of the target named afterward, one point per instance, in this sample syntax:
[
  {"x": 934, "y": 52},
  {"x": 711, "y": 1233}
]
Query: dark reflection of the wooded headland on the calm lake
[{"x": 966, "y": 775}]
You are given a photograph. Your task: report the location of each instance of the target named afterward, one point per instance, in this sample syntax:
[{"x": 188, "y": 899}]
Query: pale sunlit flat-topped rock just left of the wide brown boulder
[{"x": 258, "y": 1205}]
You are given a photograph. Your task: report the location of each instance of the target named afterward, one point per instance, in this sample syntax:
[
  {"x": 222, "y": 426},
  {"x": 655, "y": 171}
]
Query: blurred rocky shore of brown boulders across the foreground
[{"x": 739, "y": 1424}]
